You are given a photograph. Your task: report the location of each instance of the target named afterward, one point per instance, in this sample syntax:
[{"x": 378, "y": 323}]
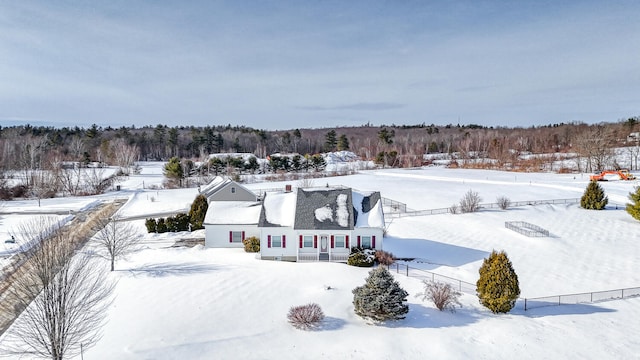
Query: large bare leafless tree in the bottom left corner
[{"x": 61, "y": 295}]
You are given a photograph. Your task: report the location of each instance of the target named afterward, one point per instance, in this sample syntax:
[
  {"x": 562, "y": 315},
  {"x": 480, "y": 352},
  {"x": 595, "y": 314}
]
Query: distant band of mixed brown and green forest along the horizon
[{"x": 33, "y": 147}]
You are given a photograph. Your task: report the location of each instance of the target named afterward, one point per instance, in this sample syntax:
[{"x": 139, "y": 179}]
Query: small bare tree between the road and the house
[{"x": 116, "y": 239}]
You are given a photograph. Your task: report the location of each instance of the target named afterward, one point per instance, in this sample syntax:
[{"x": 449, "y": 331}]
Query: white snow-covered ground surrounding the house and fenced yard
[{"x": 197, "y": 303}]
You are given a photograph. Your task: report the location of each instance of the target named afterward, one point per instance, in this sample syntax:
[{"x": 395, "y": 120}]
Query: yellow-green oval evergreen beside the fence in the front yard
[{"x": 498, "y": 286}]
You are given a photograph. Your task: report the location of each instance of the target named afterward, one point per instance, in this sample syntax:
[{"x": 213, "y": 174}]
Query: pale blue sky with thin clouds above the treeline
[{"x": 301, "y": 64}]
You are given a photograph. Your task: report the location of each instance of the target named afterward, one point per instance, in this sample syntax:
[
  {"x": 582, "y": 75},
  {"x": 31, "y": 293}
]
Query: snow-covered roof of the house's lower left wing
[{"x": 233, "y": 212}]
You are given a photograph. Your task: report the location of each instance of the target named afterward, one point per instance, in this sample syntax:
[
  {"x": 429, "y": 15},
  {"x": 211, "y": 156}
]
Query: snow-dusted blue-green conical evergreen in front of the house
[{"x": 381, "y": 298}]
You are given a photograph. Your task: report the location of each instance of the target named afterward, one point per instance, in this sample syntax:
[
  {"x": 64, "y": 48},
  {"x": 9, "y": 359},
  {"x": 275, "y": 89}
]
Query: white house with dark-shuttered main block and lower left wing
[{"x": 307, "y": 225}]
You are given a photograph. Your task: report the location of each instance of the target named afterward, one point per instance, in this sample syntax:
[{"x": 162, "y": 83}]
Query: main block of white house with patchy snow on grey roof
[{"x": 319, "y": 224}]
